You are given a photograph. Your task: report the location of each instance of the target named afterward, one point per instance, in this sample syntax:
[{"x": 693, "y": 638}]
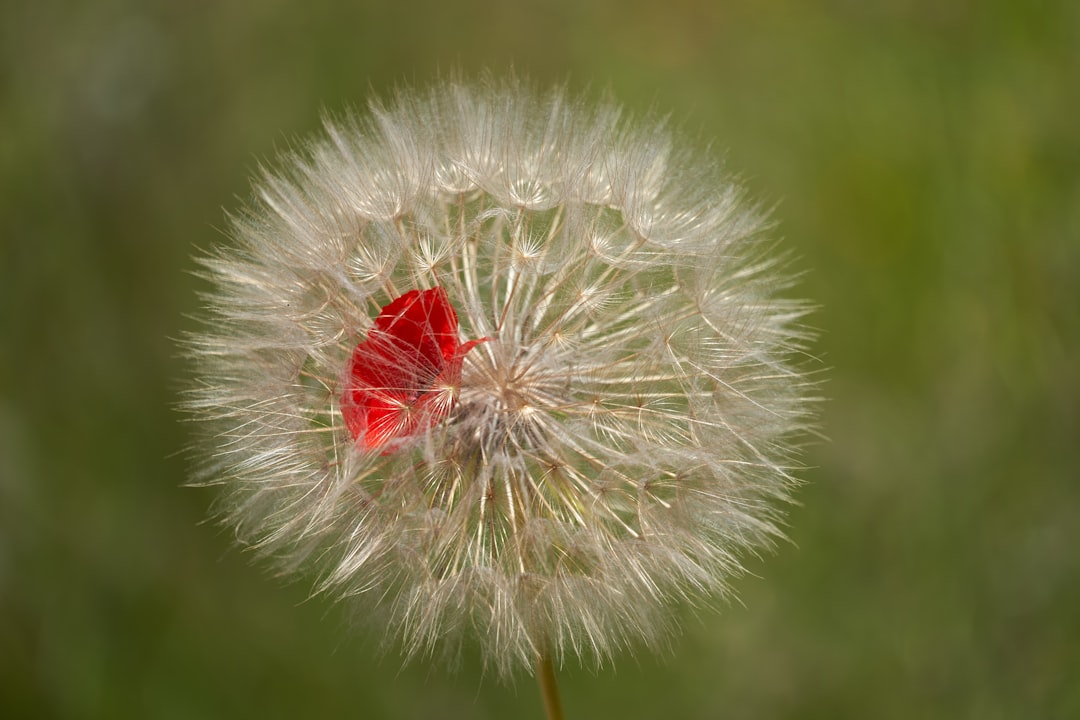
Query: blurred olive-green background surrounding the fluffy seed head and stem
[{"x": 925, "y": 162}]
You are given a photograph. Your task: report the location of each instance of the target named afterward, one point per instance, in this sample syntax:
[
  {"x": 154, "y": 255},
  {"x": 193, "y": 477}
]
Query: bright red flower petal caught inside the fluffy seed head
[{"x": 403, "y": 379}]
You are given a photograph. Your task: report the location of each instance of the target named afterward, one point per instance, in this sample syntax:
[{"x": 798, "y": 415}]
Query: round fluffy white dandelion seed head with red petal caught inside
[{"x": 506, "y": 368}]
